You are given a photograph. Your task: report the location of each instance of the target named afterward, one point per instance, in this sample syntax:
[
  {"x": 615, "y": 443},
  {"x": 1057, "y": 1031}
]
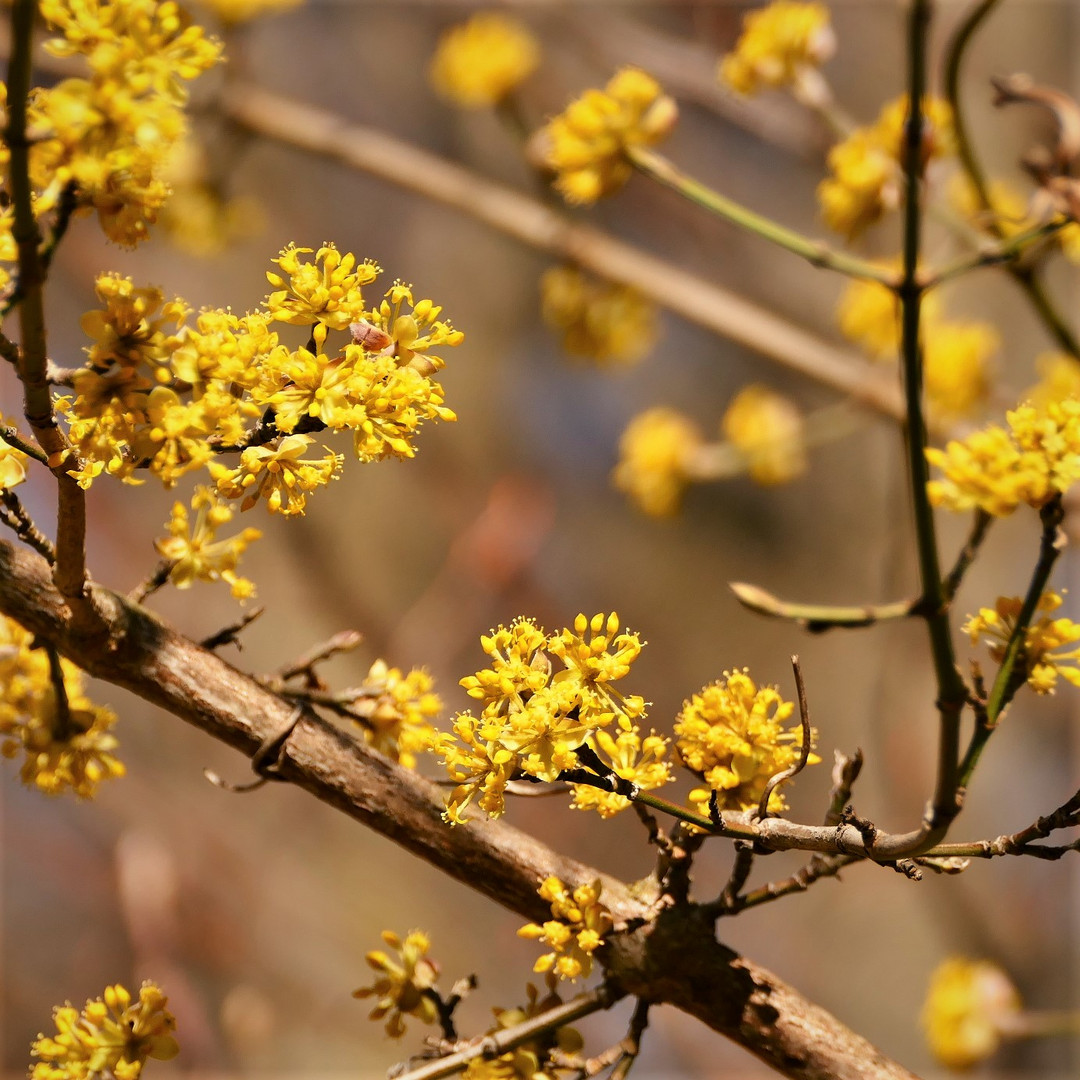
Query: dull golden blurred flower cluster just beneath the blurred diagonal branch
[{"x": 609, "y": 323}]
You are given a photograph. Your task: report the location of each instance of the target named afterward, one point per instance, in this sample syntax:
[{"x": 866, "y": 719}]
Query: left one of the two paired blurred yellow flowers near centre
[{"x": 655, "y": 454}]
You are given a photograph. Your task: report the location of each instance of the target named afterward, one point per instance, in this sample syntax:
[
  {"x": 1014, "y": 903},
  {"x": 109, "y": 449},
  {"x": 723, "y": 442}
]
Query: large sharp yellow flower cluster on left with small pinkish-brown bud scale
[{"x": 164, "y": 396}]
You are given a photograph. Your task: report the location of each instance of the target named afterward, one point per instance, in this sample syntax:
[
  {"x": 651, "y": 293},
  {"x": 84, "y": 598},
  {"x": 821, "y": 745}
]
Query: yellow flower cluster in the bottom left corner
[{"x": 113, "y": 1037}]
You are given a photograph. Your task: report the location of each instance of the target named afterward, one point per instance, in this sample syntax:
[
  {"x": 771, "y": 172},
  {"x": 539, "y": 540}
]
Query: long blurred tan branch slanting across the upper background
[{"x": 529, "y": 221}]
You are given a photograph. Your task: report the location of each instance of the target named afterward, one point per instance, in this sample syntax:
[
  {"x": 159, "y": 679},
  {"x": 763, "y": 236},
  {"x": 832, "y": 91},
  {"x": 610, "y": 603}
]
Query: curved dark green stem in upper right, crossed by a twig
[{"x": 1028, "y": 278}]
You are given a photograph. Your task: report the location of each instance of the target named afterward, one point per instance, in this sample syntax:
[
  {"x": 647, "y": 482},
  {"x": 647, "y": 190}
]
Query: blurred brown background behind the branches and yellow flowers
[{"x": 255, "y": 913}]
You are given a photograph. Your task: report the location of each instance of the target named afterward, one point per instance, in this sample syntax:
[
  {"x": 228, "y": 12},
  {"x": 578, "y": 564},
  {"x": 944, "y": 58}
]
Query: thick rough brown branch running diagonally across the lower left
[{"x": 673, "y": 958}]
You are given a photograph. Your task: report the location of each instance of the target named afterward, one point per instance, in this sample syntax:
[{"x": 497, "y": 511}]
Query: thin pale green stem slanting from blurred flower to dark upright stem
[{"x": 661, "y": 170}]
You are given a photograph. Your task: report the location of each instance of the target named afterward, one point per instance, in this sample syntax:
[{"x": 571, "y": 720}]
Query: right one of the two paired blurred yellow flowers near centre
[{"x": 767, "y": 431}]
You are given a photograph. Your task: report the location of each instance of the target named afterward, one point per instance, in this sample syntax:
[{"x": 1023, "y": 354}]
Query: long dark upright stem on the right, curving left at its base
[{"x": 952, "y": 692}]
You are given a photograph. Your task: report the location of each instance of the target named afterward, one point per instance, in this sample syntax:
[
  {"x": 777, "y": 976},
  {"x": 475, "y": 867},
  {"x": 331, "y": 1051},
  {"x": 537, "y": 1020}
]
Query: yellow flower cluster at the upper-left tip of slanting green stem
[{"x": 586, "y": 144}]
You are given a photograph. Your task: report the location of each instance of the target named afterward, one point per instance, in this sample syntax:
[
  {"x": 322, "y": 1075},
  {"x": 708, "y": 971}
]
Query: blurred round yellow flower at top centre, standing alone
[{"x": 479, "y": 63}]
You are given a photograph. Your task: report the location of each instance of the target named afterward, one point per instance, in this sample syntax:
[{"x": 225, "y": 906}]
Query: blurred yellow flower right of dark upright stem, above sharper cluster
[{"x": 955, "y": 366}]
